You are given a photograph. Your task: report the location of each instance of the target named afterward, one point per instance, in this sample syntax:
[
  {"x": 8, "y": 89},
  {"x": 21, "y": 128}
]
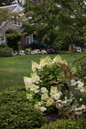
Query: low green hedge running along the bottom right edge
[{"x": 65, "y": 124}]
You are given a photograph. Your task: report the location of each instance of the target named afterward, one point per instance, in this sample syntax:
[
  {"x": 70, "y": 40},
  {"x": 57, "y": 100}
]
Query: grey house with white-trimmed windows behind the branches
[{"x": 6, "y": 25}]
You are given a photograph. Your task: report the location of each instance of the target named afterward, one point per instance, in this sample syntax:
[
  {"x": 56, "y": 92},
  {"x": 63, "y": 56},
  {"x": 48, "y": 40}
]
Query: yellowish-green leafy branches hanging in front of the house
[{"x": 6, "y": 16}]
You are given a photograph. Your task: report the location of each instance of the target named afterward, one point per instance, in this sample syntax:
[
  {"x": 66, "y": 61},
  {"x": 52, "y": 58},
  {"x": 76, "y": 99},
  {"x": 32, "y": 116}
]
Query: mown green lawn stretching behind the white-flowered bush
[{"x": 13, "y": 69}]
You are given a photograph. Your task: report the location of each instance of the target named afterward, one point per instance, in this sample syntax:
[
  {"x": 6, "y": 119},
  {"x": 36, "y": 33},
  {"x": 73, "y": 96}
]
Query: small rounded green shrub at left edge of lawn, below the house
[{"x": 6, "y": 52}]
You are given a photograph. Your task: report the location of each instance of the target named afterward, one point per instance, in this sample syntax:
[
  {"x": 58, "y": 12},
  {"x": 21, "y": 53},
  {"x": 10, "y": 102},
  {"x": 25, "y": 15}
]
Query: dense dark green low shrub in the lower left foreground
[{"x": 16, "y": 112}]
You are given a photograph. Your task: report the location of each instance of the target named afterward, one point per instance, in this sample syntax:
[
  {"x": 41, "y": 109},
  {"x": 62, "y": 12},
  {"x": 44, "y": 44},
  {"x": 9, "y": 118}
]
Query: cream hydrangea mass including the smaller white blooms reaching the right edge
[{"x": 52, "y": 83}]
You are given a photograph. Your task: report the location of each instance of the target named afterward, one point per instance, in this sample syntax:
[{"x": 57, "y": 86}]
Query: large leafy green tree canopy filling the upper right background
[{"x": 54, "y": 20}]
